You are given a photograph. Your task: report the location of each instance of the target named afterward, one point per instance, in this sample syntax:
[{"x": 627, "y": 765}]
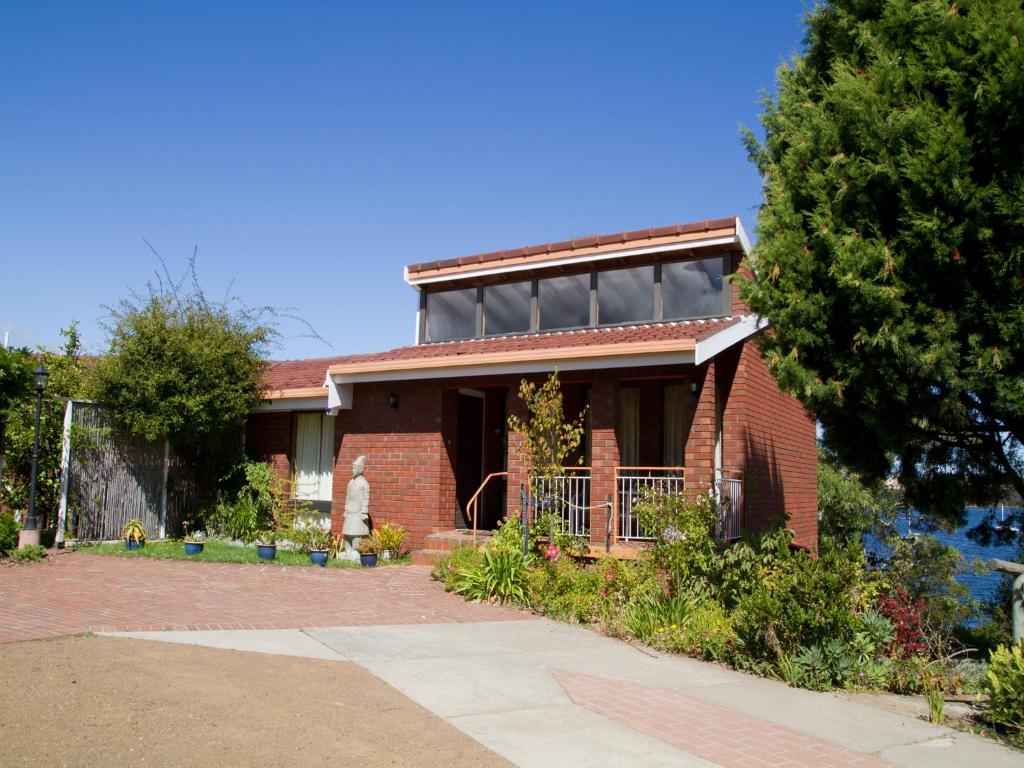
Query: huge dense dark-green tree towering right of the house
[{"x": 891, "y": 239}]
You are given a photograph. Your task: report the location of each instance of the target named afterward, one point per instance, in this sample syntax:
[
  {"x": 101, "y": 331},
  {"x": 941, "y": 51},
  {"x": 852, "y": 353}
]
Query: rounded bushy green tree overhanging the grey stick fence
[{"x": 183, "y": 367}]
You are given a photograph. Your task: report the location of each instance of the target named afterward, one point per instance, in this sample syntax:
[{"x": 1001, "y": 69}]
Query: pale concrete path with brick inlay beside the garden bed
[{"x": 543, "y": 694}]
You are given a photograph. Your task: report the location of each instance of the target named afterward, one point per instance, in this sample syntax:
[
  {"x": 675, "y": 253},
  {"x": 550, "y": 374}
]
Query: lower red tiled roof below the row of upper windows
[{"x": 311, "y": 373}]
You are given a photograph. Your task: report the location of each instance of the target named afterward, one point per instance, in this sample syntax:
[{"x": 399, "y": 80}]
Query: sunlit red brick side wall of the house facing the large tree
[{"x": 776, "y": 442}]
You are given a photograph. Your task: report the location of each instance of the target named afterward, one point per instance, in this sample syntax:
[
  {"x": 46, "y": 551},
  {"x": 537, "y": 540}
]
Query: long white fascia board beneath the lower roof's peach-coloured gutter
[{"x": 538, "y": 367}]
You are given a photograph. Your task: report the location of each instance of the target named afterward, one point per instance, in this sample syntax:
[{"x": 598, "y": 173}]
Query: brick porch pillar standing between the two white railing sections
[{"x": 605, "y": 456}]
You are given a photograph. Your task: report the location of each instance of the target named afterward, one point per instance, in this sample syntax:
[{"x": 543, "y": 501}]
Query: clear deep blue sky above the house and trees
[{"x": 312, "y": 150}]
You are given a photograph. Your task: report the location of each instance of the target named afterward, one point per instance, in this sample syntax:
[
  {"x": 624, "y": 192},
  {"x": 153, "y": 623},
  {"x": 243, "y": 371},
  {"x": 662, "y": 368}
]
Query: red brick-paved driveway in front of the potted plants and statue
[{"x": 75, "y": 592}]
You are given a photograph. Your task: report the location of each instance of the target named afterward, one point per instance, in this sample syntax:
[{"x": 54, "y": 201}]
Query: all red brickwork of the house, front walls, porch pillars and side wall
[{"x": 412, "y": 450}]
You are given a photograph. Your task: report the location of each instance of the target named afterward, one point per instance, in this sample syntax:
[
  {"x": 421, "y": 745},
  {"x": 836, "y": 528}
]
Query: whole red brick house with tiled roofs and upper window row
[{"x": 652, "y": 342}]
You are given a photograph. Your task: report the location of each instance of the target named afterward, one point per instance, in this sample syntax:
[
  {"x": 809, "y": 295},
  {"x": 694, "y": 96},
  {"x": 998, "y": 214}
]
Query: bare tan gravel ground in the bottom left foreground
[{"x": 107, "y": 702}]
